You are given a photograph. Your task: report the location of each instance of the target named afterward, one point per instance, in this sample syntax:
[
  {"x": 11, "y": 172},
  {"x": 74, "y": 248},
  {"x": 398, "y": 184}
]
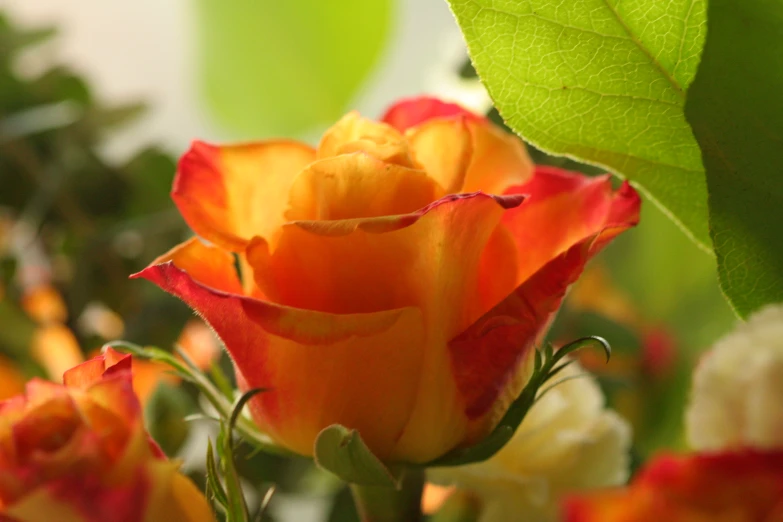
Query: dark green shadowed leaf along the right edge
[{"x": 736, "y": 111}]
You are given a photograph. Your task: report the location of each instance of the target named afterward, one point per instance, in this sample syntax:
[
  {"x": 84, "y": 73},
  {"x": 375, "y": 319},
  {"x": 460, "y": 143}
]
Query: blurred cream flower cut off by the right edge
[{"x": 737, "y": 395}]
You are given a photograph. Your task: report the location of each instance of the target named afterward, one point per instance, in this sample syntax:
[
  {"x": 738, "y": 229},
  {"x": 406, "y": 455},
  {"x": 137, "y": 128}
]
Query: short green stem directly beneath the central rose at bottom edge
[{"x": 384, "y": 504}]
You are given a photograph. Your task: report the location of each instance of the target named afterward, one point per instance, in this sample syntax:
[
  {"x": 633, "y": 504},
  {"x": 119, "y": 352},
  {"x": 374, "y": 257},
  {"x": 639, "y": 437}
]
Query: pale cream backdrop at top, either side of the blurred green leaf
[{"x": 144, "y": 50}]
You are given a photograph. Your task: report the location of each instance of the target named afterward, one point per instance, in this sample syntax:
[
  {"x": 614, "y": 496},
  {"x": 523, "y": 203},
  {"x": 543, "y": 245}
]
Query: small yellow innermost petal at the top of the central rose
[{"x": 356, "y": 134}]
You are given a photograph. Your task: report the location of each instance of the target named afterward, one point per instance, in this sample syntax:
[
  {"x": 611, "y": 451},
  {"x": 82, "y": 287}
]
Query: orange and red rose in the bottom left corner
[{"x": 78, "y": 452}]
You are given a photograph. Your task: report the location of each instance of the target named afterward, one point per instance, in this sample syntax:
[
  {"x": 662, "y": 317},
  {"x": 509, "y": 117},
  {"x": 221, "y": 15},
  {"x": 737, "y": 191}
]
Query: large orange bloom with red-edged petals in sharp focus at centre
[{"x": 392, "y": 278}]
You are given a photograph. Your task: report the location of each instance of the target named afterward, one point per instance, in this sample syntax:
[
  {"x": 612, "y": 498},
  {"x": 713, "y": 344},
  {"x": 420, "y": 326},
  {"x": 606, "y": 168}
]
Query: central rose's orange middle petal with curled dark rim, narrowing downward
[{"x": 431, "y": 260}]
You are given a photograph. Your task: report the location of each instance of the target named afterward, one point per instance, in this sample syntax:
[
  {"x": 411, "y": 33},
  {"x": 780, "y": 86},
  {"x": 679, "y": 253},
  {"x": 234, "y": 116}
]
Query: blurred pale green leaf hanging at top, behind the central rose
[{"x": 271, "y": 67}]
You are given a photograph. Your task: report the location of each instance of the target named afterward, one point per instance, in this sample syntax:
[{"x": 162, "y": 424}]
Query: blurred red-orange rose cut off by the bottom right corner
[{"x": 741, "y": 486}]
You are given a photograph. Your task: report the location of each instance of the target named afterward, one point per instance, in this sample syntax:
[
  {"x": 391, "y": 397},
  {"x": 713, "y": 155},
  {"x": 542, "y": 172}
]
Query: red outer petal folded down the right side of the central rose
[{"x": 567, "y": 219}]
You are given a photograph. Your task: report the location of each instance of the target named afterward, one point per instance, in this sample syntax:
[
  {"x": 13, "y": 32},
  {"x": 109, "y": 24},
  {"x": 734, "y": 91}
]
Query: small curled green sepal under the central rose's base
[{"x": 343, "y": 452}]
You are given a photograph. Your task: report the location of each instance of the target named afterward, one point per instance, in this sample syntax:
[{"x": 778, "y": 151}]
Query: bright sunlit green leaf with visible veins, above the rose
[{"x": 602, "y": 81}]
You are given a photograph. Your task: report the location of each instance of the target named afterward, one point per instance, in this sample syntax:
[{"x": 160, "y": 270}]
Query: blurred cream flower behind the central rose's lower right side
[{"x": 567, "y": 442}]
